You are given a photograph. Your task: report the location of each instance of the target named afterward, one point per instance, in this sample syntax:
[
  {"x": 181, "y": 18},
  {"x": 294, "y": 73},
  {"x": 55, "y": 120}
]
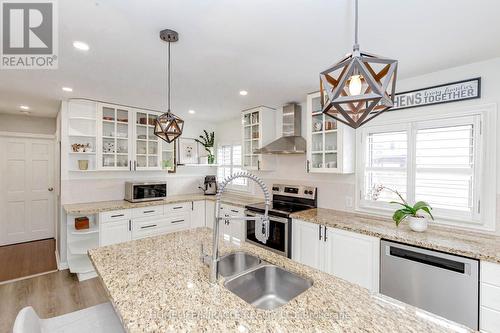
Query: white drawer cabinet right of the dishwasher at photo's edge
[{"x": 489, "y": 310}]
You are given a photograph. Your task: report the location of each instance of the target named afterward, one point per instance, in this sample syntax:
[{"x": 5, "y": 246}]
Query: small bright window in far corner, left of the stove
[{"x": 229, "y": 159}]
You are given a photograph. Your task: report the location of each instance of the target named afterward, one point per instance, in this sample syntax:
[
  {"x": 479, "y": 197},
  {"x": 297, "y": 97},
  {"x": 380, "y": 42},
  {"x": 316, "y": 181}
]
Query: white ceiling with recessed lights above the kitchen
[{"x": 274, "y": 49}]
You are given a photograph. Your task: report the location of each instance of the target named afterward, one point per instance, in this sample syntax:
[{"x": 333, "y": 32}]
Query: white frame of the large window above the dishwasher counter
[{"x": 484, "y": 117}]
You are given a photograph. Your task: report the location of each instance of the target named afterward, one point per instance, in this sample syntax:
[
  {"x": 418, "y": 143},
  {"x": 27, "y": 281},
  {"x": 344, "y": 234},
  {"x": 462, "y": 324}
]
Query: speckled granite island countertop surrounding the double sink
[{"x": 158, "y": 284}]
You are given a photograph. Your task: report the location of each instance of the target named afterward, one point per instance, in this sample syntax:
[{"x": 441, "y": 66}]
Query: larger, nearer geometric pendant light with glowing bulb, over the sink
[{"x": 359, "y": 87}]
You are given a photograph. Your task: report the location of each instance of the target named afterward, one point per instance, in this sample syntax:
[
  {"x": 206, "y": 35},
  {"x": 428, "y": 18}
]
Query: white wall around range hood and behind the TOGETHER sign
[{"x": 333, "y": 189}]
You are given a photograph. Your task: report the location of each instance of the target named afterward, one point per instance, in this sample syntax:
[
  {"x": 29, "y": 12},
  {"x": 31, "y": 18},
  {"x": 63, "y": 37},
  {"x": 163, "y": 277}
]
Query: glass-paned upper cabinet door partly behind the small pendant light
[{"x": 147, "y": 144}]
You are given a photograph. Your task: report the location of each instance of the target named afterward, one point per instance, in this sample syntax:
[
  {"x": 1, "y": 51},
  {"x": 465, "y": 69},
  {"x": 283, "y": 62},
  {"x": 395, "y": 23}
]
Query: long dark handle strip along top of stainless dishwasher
[{"x": 427, "y": 259}]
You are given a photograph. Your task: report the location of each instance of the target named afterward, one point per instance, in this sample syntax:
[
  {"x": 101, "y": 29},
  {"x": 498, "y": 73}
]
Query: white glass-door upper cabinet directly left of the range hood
[{"x": 258, "y": 129}]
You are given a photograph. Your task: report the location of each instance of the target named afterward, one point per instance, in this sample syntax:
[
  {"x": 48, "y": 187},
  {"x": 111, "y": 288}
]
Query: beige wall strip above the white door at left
[{"x": 27, "y": 124}]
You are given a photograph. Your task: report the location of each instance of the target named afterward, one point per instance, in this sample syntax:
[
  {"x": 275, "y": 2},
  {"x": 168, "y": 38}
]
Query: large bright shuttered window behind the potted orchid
[{"x": 437, "y": 161}]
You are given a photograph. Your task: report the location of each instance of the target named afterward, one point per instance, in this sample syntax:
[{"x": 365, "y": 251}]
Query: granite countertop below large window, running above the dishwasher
[{"x": 455, "y": 241}]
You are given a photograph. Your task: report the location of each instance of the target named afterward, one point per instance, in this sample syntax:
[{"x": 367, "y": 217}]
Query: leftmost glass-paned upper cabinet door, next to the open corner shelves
[{"x": 115, "y": 134}]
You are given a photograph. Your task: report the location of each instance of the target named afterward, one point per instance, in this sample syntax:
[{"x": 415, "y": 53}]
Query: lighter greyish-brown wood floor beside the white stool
[{"x": 50, "y": 295}]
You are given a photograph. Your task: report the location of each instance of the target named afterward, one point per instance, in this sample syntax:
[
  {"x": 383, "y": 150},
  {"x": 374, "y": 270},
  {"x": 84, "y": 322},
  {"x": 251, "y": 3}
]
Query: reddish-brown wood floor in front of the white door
[{"x": 25, "y": 259}]
